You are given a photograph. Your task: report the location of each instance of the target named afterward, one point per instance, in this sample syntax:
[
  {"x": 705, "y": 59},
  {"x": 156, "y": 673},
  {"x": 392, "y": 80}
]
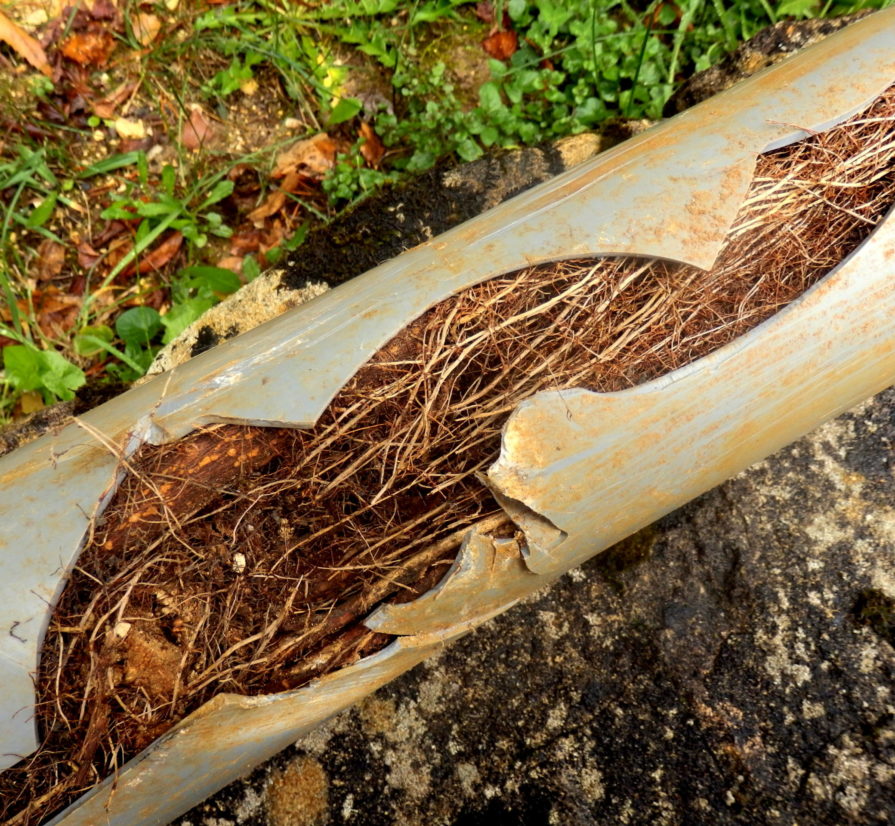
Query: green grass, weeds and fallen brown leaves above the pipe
[{"x": 141, "y": 179}]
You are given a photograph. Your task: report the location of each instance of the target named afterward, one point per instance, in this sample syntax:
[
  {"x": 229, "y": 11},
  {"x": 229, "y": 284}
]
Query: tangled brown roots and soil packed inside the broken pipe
[{"x": 243, "y": 559}]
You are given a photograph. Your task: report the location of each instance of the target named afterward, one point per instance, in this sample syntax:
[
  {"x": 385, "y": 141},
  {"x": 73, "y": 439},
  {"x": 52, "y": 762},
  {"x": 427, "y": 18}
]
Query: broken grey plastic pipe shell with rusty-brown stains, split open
[{"x": 576, "y": 473}]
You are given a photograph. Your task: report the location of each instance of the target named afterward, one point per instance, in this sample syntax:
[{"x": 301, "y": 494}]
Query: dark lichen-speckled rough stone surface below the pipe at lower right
[{"x": 732, "y": 664}]
